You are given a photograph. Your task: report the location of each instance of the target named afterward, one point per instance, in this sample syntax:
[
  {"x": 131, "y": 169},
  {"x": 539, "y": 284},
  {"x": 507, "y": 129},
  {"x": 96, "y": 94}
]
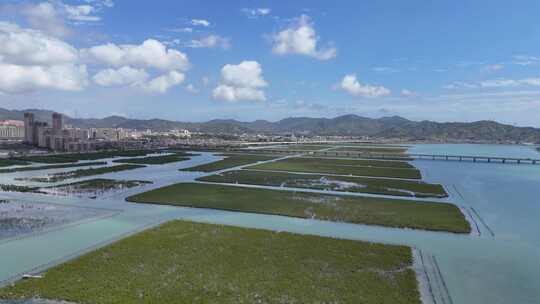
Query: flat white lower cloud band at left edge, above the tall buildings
[{"x": 22, "y": 79}]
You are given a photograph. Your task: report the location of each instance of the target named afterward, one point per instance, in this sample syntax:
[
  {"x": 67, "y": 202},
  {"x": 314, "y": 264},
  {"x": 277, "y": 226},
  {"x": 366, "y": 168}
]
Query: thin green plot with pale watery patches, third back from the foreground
[{"x": 335, "y": 183}]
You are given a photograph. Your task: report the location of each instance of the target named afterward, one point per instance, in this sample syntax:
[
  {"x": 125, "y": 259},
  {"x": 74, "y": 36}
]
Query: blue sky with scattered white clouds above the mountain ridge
[{"x": 247, "y": 60}]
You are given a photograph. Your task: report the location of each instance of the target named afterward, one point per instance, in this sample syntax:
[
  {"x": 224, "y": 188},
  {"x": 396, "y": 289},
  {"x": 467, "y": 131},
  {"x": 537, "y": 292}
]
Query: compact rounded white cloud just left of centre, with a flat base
[{"x": 241, "y": 82}]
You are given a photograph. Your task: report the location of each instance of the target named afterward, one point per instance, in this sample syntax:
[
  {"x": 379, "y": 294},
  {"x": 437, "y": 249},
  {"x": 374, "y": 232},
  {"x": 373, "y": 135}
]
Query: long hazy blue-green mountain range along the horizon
[{"x": 351, "y": 125}]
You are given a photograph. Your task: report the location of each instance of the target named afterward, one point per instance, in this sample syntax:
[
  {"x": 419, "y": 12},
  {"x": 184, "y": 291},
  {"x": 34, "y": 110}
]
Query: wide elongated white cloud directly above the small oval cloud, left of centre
[{"x": 150, "y": 54}]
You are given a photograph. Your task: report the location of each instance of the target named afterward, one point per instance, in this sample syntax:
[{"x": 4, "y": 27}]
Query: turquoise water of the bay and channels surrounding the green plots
[{"x": 502, "y": 265}]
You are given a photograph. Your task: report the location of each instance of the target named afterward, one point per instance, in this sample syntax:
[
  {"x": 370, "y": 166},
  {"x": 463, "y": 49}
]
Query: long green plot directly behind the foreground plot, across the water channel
[{"x": 361, "y": 210}]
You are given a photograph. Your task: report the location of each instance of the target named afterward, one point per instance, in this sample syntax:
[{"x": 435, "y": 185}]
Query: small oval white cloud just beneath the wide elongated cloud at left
[{"x": 120, "y": 77}]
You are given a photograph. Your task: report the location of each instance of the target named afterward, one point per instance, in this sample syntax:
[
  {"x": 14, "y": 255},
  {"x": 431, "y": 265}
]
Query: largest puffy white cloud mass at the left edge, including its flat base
[{"x": 31, "y": 60}]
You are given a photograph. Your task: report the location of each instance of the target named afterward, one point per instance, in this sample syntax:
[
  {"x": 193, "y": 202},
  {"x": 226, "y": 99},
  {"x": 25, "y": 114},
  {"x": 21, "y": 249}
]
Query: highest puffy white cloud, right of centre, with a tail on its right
[{"x": 302, "y": 39}]
